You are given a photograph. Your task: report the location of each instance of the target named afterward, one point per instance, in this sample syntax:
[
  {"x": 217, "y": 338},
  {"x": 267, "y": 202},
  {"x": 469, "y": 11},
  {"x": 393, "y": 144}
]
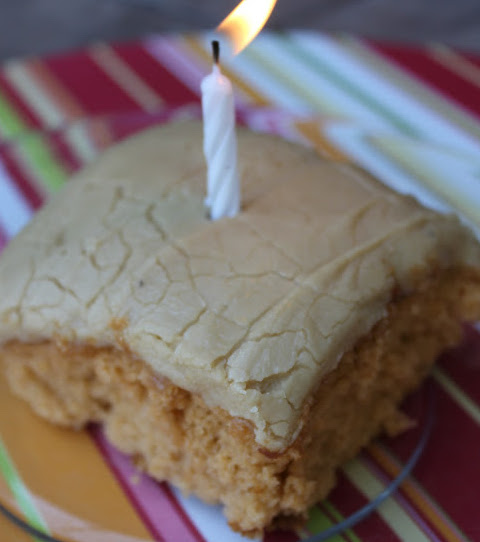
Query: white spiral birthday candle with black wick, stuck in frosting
[{"x": 220, "y": 143}]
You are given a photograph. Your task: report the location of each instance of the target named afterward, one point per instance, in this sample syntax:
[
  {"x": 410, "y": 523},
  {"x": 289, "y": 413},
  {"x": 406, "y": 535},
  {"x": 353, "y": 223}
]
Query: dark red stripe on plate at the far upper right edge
[{"x": 431, "y": 72}]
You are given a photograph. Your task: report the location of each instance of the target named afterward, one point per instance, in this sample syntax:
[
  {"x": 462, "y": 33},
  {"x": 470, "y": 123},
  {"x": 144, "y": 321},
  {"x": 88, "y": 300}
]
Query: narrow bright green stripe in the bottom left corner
[{"x": 20, "y": 491}]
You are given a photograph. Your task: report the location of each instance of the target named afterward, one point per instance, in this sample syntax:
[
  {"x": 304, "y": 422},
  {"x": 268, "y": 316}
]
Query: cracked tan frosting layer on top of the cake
[{"x": 250, "y": 312}]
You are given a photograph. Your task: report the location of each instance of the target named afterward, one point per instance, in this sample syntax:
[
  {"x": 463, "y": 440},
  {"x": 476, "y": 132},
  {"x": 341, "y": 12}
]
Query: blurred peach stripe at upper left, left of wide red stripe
[{"x": 54, "y": 88}]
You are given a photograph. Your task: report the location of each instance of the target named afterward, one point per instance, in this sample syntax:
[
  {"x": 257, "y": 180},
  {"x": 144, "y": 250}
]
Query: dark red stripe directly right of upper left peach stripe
[{"x": 97, "y": 93}]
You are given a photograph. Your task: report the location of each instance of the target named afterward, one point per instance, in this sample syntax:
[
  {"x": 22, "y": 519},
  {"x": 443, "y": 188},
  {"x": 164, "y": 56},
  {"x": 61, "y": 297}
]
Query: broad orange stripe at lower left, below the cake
[{"x": 69, "y": 480}]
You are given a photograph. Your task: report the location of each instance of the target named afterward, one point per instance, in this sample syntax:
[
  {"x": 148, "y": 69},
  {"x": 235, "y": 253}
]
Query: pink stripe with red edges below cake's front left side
[{"x": 154, "y": 502}]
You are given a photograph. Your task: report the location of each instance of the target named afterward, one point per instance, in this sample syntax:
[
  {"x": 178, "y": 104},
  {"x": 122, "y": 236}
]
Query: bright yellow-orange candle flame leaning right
[{"x": 245, "y": 22}]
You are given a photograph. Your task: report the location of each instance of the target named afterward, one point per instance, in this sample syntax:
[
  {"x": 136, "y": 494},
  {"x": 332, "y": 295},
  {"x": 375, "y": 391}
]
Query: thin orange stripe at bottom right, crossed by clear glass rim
[{"x": 421, "y": 501}]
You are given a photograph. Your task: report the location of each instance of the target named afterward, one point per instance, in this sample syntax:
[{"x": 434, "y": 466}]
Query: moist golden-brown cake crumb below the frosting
[{"x": 174, "y": 435}]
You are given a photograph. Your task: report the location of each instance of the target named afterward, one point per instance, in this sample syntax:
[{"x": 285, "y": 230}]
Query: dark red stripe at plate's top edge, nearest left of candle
[{"x": 172, "y": 90}]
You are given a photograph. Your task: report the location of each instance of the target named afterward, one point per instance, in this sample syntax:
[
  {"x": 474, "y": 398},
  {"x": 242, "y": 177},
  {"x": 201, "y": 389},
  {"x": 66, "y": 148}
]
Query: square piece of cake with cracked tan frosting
[{"x": 245, "y": 359}]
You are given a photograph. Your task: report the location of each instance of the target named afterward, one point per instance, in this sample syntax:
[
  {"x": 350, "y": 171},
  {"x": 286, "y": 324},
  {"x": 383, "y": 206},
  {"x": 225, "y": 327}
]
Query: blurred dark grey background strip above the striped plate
[{"x": 42, "y": 26}]
